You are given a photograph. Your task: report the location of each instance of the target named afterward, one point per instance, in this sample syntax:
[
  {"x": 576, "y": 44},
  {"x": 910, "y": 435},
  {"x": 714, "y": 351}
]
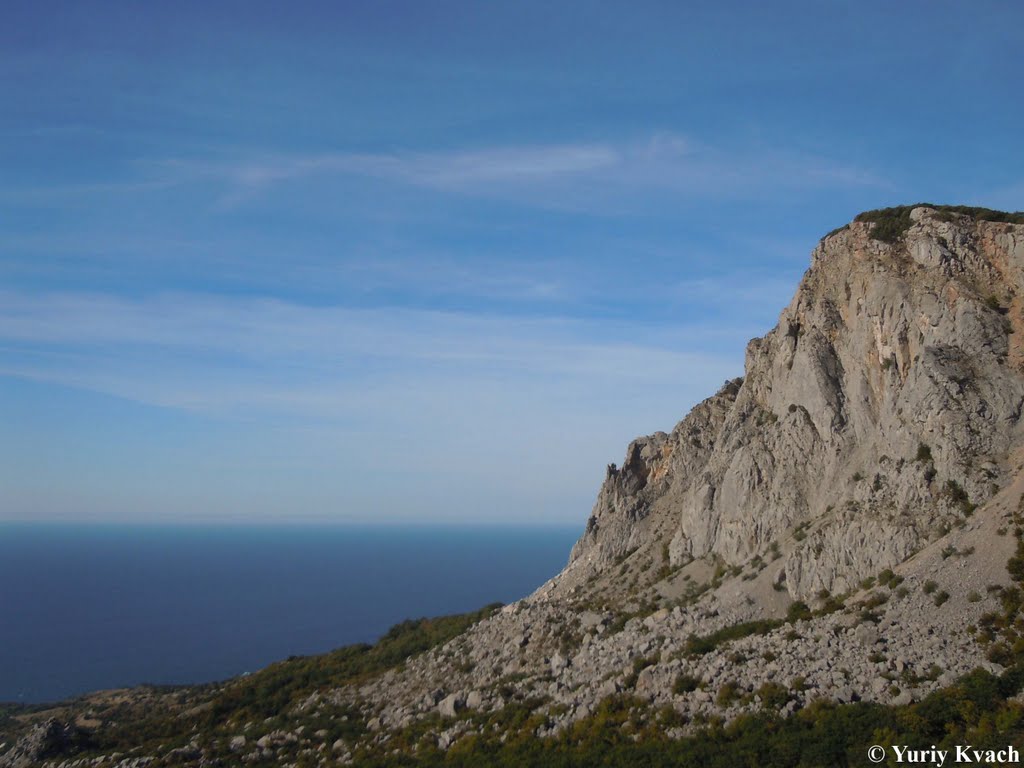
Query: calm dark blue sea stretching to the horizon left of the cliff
[{"x": 91, "y": 608}]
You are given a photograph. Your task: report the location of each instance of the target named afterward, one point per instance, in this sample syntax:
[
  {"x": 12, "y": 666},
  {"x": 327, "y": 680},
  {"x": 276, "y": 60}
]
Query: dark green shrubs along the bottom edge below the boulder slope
[{"x": 624, "y": 733}]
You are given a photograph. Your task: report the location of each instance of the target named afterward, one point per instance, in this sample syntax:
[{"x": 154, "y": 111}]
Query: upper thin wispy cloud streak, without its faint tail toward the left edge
[{"x": 587, "y": 173}]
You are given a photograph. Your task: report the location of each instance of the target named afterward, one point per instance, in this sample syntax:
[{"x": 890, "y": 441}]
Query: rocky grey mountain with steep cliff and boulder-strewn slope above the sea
[{"x": 835, "y": 525}]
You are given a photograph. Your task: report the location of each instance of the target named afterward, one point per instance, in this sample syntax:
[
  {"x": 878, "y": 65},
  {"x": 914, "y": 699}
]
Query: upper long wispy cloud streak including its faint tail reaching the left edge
[{"x": 607, "y": 177}]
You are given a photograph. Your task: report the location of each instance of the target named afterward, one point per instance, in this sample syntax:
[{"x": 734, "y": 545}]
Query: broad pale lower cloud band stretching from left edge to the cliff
[{"x": 241, "y": 355}]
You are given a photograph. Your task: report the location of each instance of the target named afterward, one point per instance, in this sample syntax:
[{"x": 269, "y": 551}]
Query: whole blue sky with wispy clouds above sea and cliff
[{"x": 406, "y": 263}]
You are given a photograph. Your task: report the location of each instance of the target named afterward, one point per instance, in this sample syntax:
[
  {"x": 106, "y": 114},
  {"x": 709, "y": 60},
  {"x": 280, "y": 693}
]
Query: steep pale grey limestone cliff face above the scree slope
[{"x": 880, "y": 409}]
